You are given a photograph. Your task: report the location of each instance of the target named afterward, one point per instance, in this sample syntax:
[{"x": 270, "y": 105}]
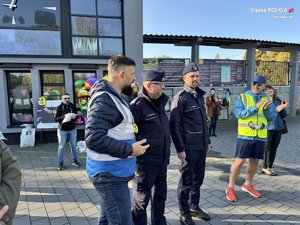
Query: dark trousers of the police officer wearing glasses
[{"x": 150, "y": 182}]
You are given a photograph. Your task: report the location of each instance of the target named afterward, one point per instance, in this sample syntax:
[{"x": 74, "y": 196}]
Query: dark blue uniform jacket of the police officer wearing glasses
[{"x": 153, "y": 124}]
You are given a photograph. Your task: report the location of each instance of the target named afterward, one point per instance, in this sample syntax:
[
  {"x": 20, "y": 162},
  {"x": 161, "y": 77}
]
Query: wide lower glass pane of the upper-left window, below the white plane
[{"x": 30, "y": 42}]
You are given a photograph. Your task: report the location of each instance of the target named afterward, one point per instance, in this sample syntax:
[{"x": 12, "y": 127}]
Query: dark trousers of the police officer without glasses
[{"x": 192, "y": 176}]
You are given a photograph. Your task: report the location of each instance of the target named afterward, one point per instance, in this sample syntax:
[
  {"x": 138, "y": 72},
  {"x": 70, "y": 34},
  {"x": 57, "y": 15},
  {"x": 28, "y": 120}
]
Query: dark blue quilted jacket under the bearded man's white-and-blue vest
[{"x": 104, "y": 115}]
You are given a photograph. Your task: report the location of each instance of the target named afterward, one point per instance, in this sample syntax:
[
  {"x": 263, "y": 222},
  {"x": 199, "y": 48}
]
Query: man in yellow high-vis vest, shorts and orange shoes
[{"x": 253, "y": 110}]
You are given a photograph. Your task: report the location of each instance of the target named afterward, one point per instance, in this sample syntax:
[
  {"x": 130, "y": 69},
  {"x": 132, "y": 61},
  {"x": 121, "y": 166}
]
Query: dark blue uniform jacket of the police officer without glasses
[{"x": 188, "y": 121}]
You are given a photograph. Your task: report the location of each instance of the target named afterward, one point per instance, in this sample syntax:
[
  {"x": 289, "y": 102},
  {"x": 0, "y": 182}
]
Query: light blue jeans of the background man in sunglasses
[{"x": 63, "y": 137}]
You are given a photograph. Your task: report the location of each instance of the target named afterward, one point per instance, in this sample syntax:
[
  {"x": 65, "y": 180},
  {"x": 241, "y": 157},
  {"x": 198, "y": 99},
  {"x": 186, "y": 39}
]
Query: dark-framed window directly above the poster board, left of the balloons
[{"x": 53, "y": 84}]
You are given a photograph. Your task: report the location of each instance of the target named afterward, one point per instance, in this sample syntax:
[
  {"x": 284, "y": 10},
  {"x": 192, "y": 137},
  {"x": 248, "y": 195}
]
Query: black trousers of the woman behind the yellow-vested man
[{"x": 272, "y": 143}]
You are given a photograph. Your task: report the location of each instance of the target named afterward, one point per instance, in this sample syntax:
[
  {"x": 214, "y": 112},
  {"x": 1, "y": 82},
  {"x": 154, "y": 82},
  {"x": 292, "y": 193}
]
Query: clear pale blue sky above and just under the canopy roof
[{"x": 270, "y": 20}]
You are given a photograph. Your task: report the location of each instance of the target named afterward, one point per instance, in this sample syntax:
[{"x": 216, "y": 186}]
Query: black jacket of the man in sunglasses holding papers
[{"x": 61, "y": 111}]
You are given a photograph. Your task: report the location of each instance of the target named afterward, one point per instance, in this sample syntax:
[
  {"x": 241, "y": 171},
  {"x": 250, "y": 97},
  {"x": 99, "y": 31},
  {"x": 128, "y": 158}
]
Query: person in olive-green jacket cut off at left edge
[{"x": 10, "y": 184}]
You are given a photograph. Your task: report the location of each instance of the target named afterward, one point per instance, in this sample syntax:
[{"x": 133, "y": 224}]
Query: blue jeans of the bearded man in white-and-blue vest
[{"x": 115, "y": 206}]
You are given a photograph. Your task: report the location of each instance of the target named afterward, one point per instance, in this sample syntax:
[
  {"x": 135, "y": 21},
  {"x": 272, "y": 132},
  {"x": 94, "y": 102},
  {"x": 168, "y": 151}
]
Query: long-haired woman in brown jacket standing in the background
[{"x": 213, "y": 110}]
